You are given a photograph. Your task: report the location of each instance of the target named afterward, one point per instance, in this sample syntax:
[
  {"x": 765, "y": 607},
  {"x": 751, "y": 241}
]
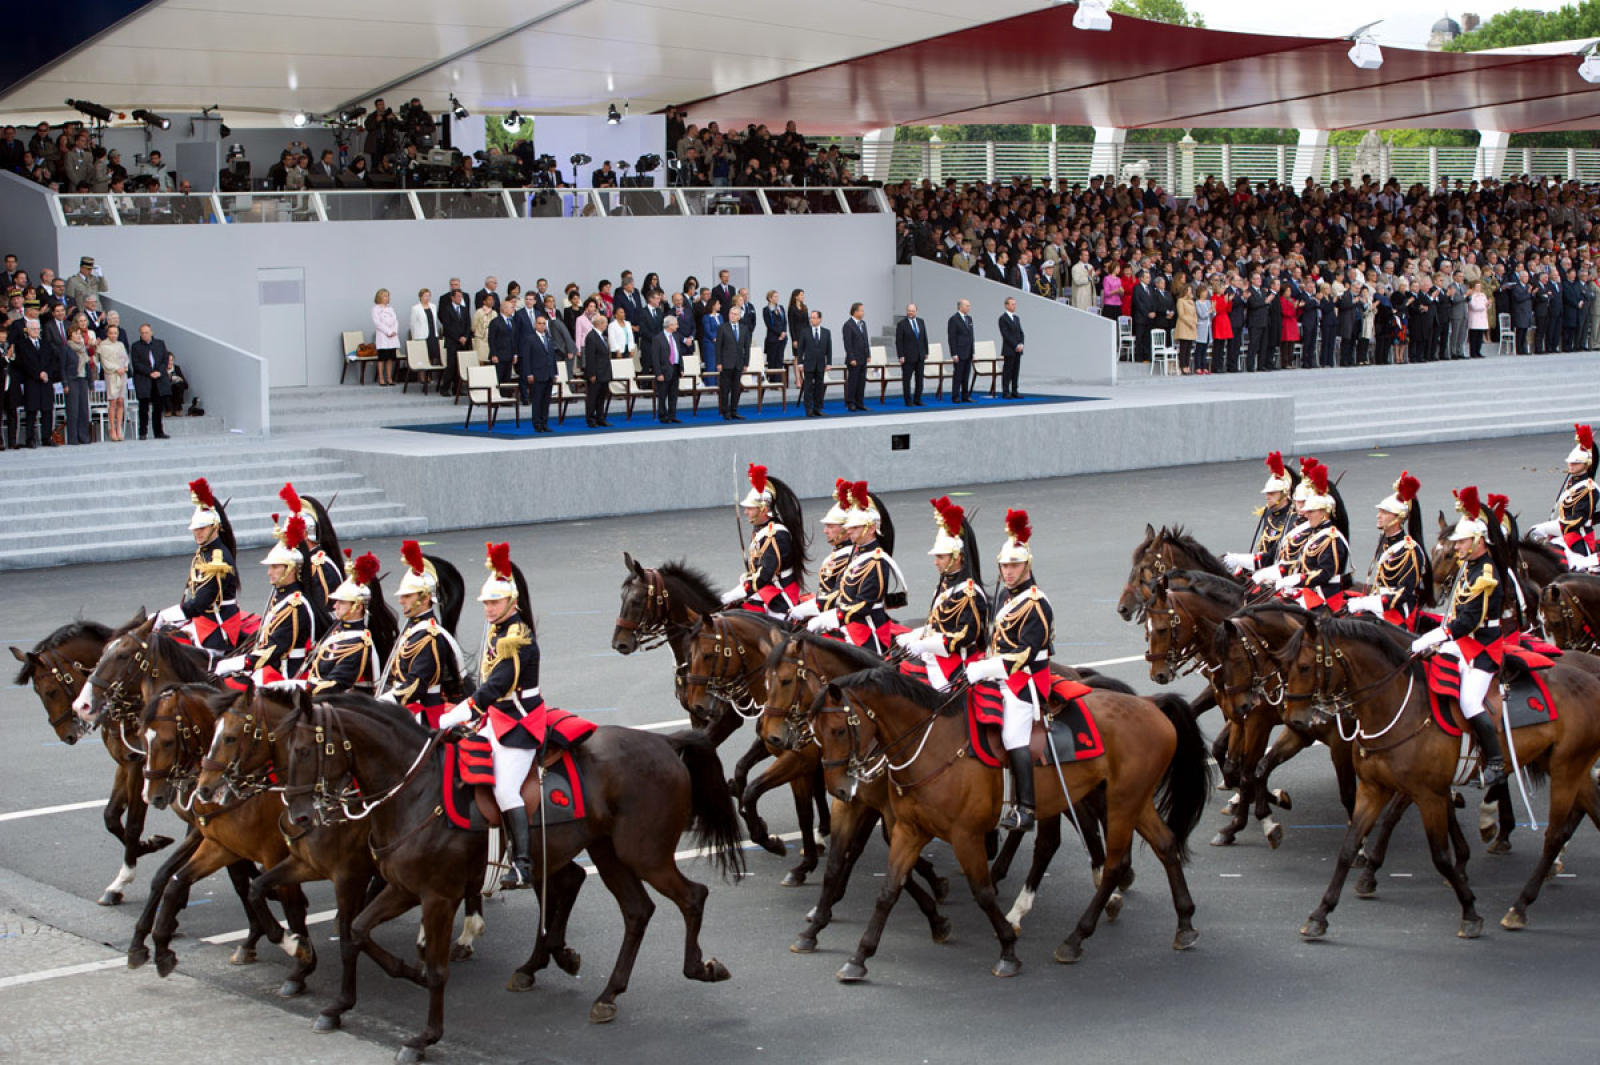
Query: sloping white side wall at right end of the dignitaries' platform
[{"x": 1065, "y": 346}]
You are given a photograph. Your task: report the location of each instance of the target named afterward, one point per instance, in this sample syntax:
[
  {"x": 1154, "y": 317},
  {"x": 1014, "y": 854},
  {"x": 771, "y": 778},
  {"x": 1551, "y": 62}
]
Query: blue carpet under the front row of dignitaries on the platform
[{"x": 644, "y": 421}]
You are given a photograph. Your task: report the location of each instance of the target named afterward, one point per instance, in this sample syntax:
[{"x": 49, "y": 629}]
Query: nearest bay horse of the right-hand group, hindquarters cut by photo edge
[{"x": 1330, "y": 668}]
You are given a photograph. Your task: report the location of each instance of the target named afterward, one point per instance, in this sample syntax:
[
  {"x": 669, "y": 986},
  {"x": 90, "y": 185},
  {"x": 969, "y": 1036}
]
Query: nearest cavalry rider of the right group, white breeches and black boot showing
[{"x": 1473, "y": 626}]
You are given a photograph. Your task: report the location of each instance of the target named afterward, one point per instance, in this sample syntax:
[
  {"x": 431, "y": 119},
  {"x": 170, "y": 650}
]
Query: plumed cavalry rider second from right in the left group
[{"x": 425, "y": 671}]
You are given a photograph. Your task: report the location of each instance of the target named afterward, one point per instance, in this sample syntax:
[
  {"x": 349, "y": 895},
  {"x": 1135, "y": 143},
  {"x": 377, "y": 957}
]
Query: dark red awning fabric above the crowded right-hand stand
[{"x": 1038, "y": 68}]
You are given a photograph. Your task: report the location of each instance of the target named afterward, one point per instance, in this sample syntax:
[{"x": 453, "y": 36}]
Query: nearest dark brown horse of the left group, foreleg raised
[{"x": 641, "y": 792}]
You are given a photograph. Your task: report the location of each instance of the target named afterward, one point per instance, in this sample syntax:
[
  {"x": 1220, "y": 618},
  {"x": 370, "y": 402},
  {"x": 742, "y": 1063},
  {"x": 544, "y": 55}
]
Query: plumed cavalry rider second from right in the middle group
[{"x": 959, "y": 618}]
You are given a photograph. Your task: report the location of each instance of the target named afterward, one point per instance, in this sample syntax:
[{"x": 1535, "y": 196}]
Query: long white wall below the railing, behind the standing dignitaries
[{"x": 206, "y": 276}]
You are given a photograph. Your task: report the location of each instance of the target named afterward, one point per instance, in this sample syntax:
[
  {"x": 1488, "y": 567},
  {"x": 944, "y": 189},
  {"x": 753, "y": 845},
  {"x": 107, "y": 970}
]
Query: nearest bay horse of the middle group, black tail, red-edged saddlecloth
[{"x": 1154, "y": 775}]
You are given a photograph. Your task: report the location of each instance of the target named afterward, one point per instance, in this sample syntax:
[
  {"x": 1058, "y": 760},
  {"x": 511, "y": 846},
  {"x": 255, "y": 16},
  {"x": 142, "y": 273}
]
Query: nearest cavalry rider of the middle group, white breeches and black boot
[{"x": 1020, "y": 647}]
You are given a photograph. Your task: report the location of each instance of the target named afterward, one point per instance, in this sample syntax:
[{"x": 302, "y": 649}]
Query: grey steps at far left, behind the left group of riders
[{"x": 68, "y": 506}]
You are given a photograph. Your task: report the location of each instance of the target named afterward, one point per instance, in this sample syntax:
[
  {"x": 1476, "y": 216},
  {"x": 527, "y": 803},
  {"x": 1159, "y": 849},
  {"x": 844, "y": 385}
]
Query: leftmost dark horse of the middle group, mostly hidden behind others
[{"x": 663, "y": 607}]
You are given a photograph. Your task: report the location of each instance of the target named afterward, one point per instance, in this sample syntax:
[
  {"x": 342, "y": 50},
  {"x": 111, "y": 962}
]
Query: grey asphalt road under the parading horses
[{"x": 1391, "y": 981}]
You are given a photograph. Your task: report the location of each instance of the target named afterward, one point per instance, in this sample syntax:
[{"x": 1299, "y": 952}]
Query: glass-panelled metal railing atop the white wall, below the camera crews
[{"x": 369, "y": 205}]
